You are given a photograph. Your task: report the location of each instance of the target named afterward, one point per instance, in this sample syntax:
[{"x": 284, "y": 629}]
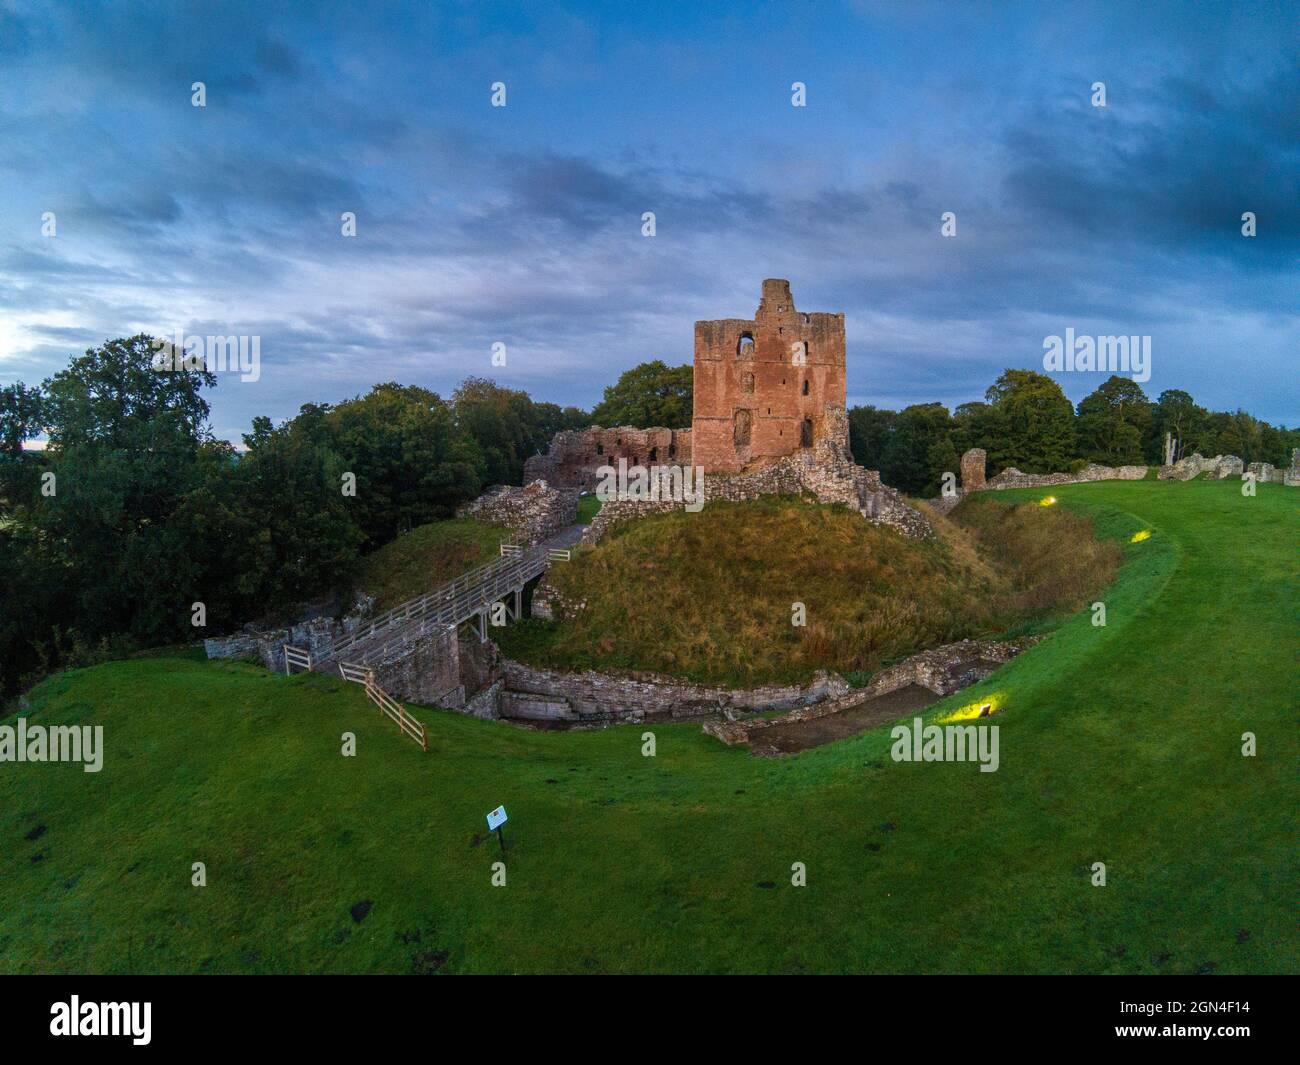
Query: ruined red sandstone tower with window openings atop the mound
[{"x": 764, "y": 386}]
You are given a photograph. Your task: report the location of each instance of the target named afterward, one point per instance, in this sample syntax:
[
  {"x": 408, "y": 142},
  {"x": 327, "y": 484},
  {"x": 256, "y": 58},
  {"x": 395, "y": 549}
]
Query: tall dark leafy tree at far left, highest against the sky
[{"x": 125, "y": 441}]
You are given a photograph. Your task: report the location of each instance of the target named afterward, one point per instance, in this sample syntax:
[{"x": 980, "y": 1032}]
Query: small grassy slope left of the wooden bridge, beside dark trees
[{"x": 428, "y": 556}]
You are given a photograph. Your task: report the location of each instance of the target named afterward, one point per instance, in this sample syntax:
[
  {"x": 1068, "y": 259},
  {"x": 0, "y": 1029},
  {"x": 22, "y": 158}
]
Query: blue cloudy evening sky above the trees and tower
[{"x": 523, "y": 224}]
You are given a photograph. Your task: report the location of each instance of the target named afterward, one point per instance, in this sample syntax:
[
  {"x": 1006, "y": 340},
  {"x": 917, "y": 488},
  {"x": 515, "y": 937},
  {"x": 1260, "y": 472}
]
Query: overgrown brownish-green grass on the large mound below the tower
[{"x": 710, "y": 596}]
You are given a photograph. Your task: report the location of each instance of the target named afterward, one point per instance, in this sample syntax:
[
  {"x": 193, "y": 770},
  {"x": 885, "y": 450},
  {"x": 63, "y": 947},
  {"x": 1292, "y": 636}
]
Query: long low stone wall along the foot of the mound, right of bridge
[{"x": 531, "y": 694}]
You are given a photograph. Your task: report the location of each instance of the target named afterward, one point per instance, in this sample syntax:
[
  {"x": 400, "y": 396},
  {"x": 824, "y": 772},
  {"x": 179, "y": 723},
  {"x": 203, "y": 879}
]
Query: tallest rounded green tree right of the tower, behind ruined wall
[{"x": 1033, "y": 422}]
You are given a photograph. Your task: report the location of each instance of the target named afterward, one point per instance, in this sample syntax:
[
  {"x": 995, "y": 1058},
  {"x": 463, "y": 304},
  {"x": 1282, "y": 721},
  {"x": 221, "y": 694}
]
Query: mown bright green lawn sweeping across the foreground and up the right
[{"x": 1119, "y": 744}]
